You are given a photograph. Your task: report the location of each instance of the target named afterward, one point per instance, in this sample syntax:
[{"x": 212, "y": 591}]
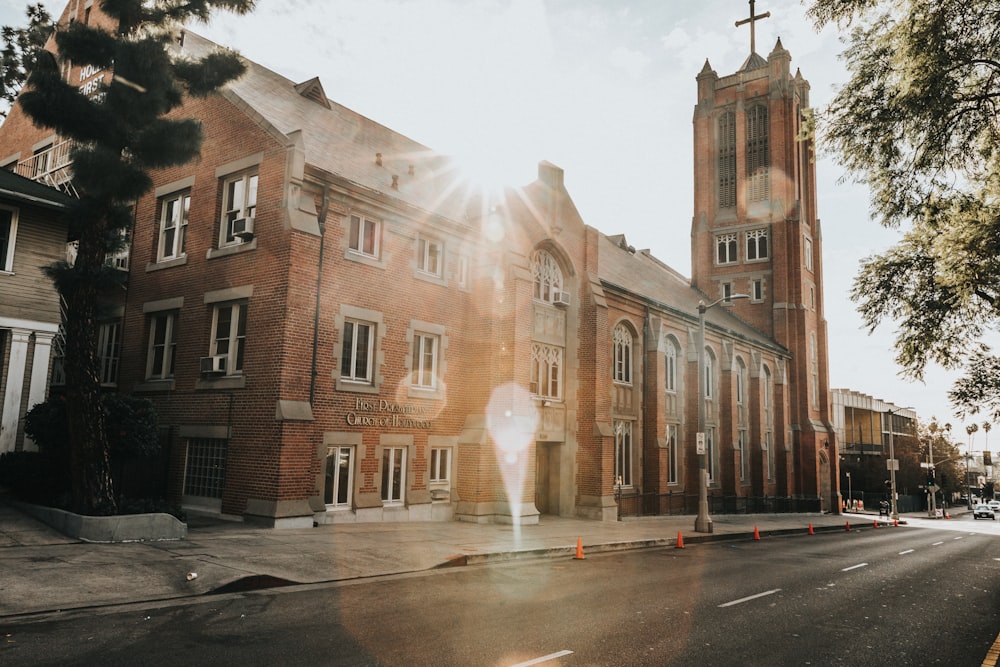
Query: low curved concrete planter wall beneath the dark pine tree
[{"x": 120, "y": 528}]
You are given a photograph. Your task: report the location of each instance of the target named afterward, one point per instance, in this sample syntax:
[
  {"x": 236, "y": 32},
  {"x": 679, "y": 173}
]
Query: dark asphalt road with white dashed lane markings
[{"x": 894, "y": 596}]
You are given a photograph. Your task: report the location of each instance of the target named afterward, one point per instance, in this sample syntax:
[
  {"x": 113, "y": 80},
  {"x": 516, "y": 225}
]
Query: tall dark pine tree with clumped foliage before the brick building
[{"x": 119, "y": 132}]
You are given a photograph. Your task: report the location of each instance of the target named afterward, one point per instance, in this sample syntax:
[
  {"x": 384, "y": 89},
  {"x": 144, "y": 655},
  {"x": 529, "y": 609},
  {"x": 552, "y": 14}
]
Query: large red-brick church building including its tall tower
[{"x": 334, "y": 326}]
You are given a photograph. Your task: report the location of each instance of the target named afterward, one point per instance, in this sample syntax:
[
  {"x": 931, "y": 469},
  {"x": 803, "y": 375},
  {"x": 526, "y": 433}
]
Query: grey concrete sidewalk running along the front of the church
[{"x": 45, "y": 571}]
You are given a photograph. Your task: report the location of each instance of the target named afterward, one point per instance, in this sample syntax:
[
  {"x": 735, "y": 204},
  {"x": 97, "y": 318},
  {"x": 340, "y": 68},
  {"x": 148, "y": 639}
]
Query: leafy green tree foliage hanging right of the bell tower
[{"x": 919, "y": 123}]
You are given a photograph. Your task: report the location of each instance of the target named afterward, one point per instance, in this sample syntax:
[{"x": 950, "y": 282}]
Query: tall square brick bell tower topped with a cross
[{"x": 755, "y": 231}]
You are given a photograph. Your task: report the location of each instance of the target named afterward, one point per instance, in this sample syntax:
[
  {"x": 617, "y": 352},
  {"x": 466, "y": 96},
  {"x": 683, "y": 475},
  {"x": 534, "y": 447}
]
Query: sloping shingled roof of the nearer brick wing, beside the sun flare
[{"x": 342, "y": 142}]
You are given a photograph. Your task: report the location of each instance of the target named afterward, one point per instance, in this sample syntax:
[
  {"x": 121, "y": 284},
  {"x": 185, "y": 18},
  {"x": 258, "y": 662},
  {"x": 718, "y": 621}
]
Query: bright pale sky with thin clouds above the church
[{"x": 605, "y": 89}]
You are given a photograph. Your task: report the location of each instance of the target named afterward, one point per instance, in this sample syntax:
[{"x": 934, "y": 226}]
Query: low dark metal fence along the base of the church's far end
[{"x": 668, "y": 504}]
